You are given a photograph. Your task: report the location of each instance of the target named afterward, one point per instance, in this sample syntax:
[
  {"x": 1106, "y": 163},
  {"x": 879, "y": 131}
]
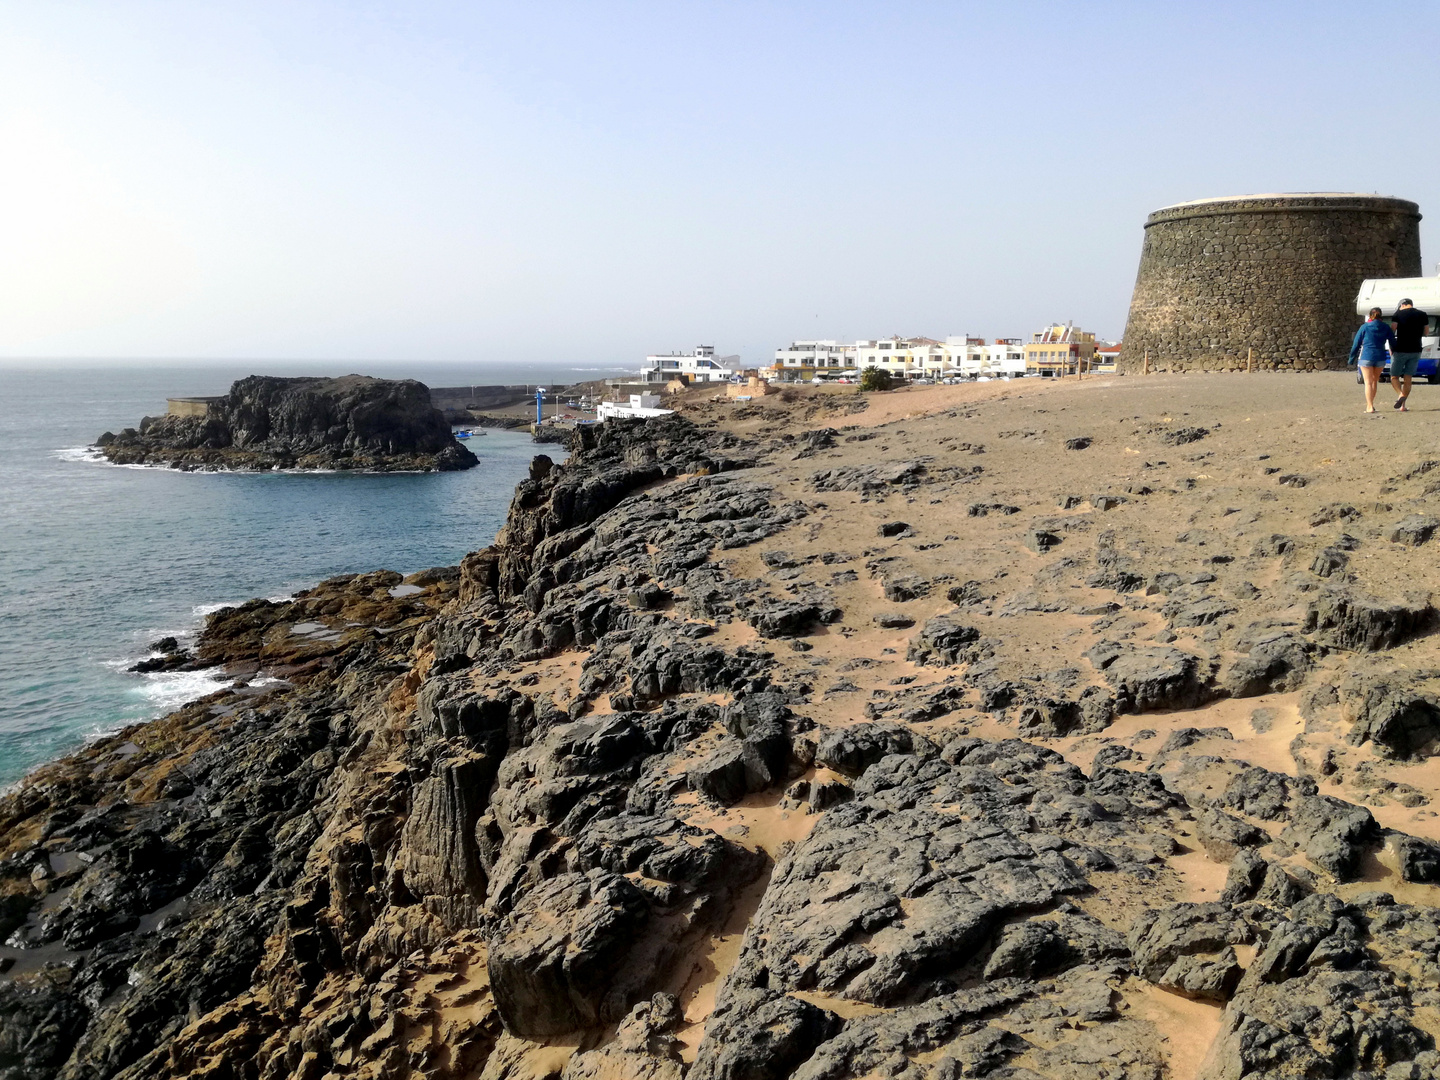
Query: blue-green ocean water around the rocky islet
[{"x": 97, "y": 561}]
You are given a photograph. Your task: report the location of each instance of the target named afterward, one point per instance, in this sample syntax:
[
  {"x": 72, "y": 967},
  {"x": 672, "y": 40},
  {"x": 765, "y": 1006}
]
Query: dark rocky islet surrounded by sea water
[{"x": 264, "y": 423}]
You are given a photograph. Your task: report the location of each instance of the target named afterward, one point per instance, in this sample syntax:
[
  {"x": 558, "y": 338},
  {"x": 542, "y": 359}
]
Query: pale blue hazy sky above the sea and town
[{"x": 525, "y": 182}]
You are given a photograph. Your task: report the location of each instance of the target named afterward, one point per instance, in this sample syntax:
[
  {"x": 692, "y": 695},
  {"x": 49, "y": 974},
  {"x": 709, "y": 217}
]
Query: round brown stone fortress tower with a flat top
[{"x": 1271, "y": 273}]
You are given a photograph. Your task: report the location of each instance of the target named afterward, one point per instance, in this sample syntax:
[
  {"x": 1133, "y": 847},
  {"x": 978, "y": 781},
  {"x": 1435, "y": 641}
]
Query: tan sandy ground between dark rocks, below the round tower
[{"x": 1277, "y": 450}]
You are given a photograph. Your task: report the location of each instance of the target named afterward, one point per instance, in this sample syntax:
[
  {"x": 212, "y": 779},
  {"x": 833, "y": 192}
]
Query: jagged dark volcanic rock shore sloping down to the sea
[{"x": 611, "y": 801}]
